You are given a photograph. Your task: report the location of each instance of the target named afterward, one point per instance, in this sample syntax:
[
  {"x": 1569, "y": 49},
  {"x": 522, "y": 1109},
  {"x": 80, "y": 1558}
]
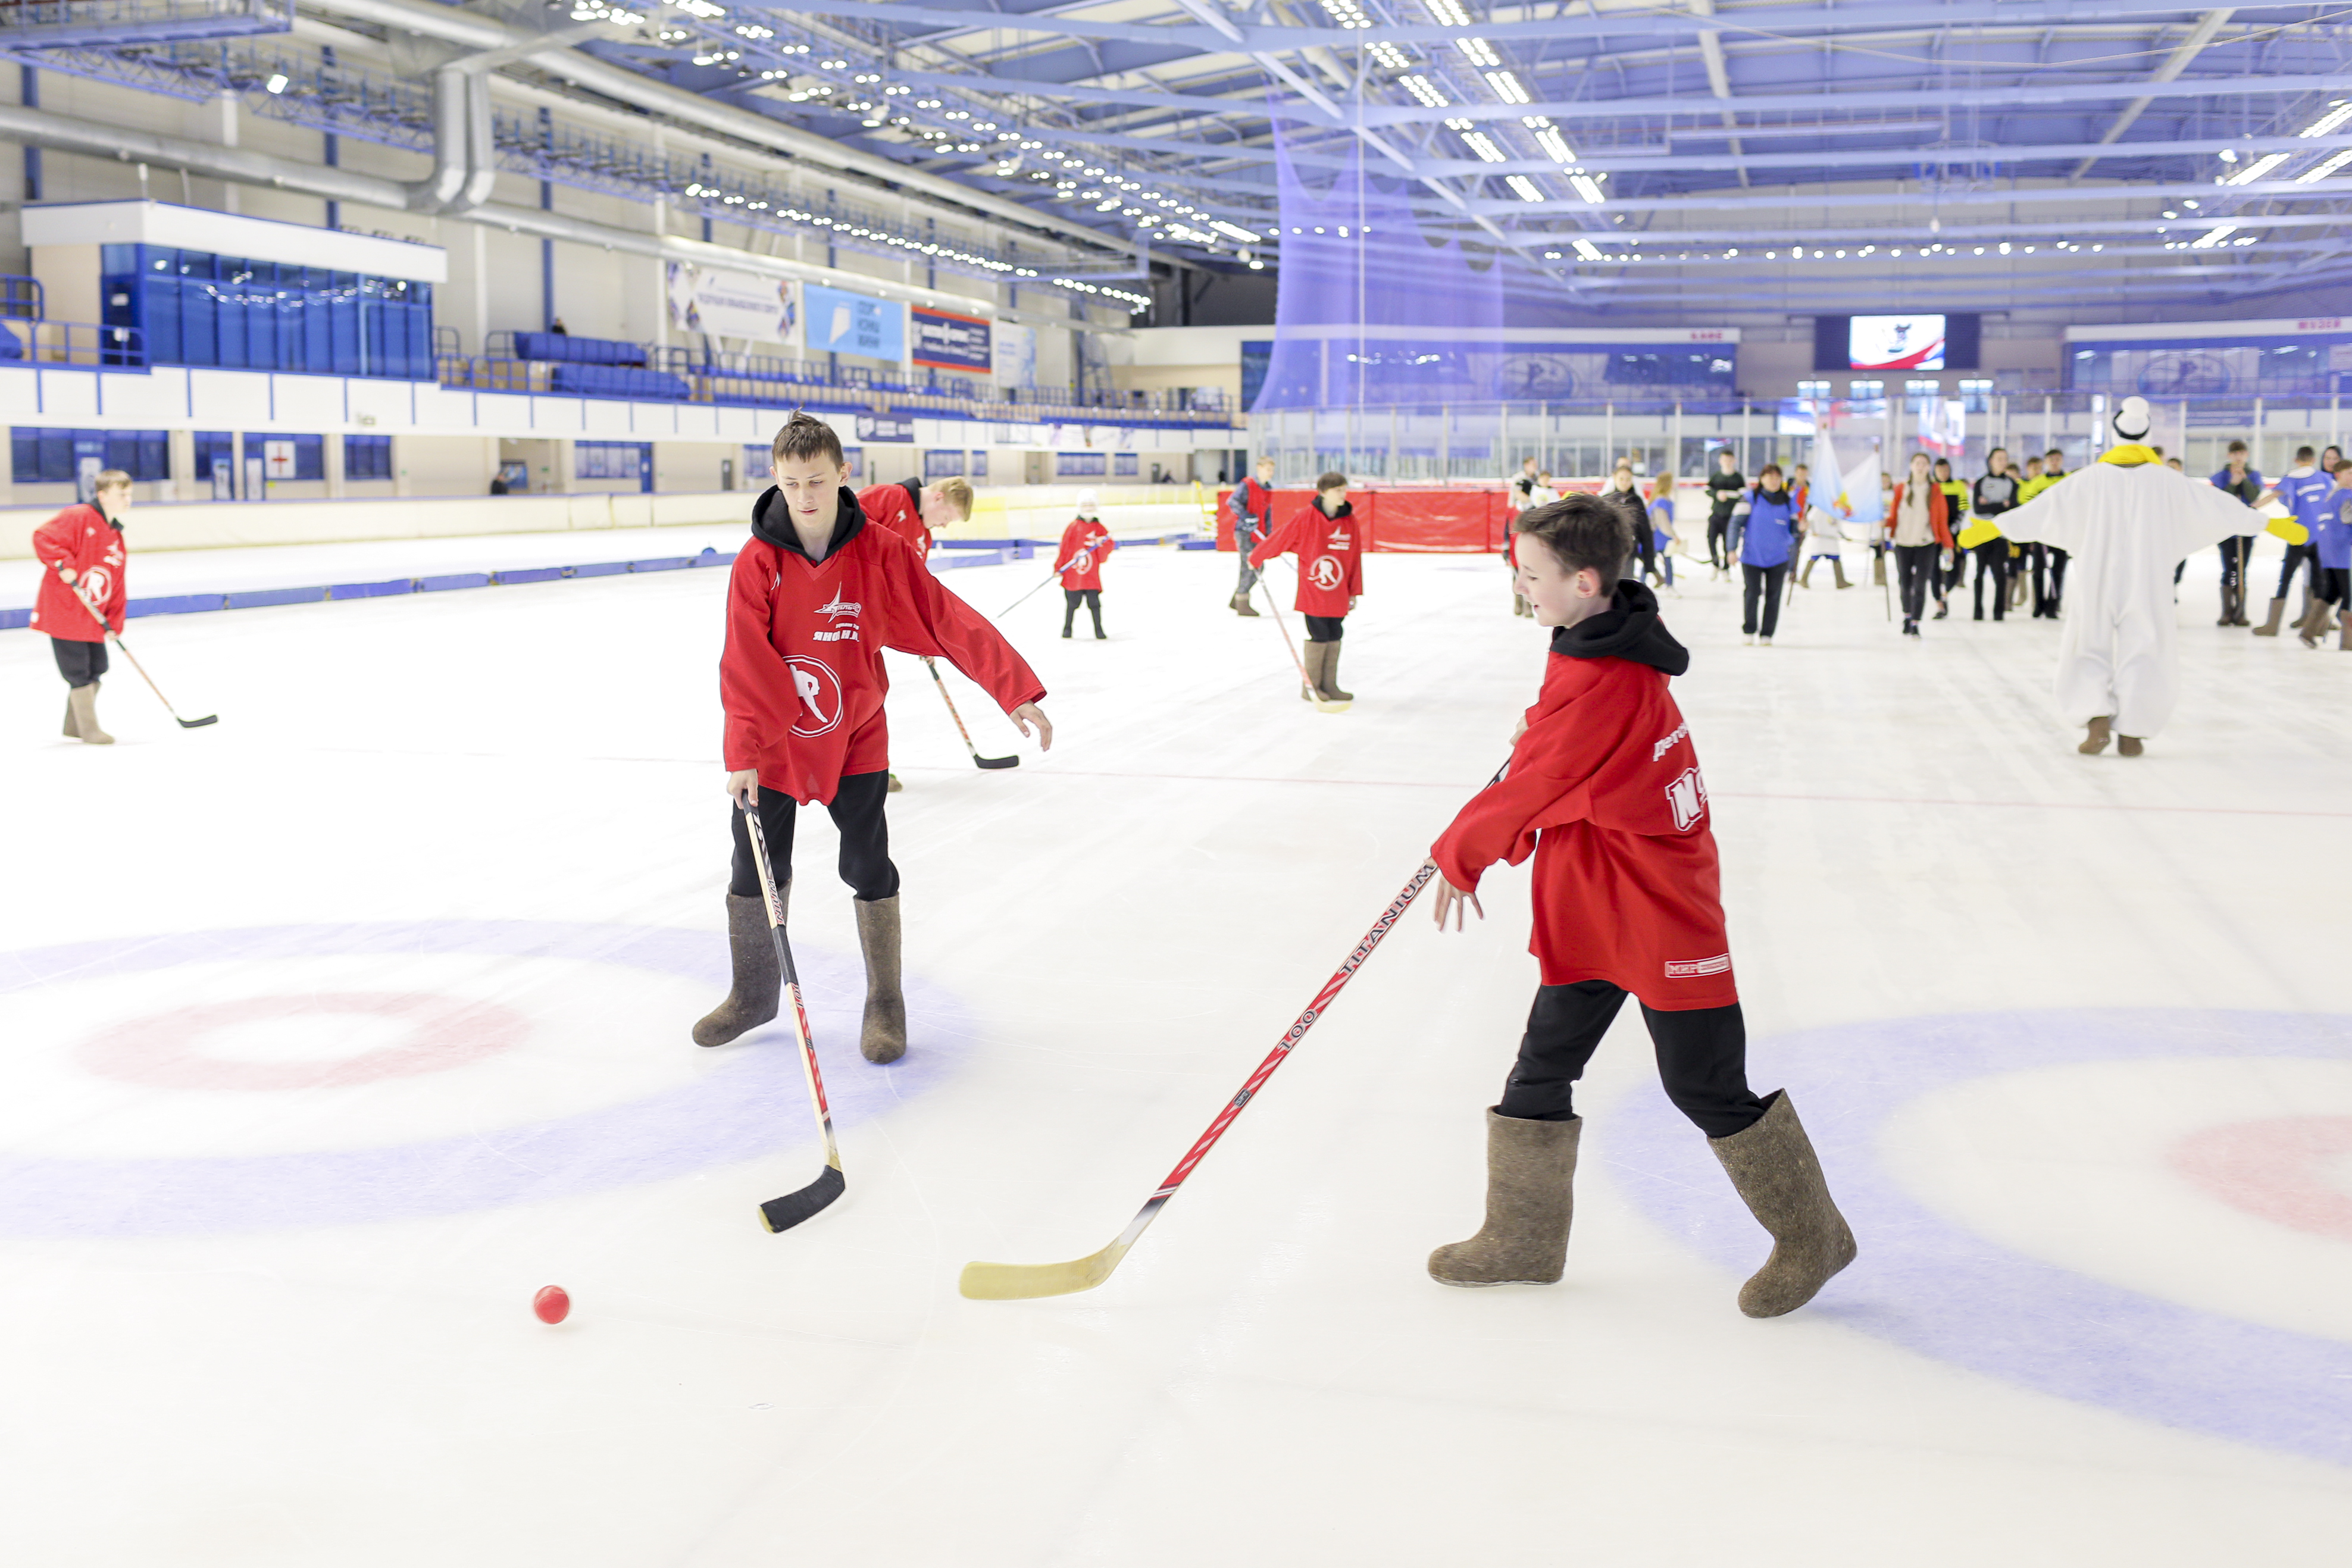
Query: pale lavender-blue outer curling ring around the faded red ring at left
[{"x": 747, "y": 1101}]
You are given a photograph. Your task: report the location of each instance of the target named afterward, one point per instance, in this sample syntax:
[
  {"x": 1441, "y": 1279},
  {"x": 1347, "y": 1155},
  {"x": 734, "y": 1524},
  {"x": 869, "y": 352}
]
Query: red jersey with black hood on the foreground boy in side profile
[{"x": 1605, "y": 791}]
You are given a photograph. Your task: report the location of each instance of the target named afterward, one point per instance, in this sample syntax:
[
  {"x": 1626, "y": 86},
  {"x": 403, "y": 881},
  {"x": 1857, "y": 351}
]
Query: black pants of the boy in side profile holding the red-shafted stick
[{"x": 1702, "y": 1059}]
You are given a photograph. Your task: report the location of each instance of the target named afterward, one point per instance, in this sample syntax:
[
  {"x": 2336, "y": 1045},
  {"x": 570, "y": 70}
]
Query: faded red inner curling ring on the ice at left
[{"x": 168, "y": 1050}]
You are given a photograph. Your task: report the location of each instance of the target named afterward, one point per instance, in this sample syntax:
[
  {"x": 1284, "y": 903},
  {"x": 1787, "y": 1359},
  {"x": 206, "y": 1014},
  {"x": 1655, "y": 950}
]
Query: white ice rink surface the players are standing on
[{"x": 338, "y": 1031}]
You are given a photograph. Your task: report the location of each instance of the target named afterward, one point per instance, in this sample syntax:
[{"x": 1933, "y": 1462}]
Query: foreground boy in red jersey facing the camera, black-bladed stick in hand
[{"x": 815, "y": 598}]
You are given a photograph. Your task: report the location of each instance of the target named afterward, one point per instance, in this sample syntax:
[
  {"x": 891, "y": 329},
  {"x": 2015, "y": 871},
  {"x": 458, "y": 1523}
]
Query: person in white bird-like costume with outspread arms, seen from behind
[{"x": 2127, "y": 521}]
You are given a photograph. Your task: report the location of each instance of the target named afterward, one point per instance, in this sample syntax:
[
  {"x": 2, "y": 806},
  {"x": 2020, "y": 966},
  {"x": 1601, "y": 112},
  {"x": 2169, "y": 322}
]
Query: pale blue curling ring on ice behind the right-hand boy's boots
[{"x": 1946, "y": 1292}]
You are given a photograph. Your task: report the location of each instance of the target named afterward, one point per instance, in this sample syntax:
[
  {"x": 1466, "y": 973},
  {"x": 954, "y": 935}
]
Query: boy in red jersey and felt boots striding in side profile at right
[{"x": 1605, "y": 791}]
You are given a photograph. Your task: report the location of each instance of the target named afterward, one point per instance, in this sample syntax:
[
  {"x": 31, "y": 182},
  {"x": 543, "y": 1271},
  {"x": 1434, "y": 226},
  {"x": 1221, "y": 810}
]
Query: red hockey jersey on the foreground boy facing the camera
[{"x": 803, "y": 676}]
